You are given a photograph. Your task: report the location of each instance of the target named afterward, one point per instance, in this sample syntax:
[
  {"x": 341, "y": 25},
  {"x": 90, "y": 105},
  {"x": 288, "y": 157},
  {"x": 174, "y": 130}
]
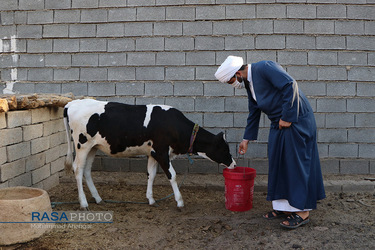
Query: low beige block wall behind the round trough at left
[{"x": 32, "y": 147}]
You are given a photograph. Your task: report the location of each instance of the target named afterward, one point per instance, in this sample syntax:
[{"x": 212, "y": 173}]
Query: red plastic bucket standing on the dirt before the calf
[{"x": 239, "y": 188}]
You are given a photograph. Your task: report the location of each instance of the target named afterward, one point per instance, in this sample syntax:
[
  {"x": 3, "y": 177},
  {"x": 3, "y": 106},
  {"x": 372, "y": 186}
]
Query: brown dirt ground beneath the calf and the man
[{"x": 342, "y": 221}]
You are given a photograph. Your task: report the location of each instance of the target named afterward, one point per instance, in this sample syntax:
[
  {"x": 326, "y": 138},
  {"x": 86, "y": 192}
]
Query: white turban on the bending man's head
[{"x": 228, "y": 68}]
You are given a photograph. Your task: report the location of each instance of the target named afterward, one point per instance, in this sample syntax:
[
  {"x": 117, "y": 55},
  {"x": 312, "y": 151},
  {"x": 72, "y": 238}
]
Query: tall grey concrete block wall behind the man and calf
[{"x": 166, "y": 52}]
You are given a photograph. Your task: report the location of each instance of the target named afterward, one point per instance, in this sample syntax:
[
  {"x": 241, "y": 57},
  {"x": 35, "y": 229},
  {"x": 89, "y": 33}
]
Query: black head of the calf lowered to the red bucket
[{"x": 219, "y": 151}]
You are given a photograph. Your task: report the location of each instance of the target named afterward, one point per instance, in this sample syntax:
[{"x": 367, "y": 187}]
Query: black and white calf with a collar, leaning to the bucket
[{"x": 120, "y": 130}]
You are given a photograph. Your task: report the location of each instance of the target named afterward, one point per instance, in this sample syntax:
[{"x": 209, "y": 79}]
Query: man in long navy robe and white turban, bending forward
[{"x": 295, "y": 180}]
